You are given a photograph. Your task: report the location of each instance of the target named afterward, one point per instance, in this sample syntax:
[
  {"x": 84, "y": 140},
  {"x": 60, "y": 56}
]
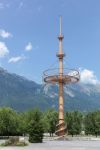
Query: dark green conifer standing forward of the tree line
[{"x": 35, "y": 126}]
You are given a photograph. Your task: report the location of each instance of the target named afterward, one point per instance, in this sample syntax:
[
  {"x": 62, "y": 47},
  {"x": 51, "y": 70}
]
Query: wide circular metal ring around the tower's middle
[{"x": 68, "y": 76}]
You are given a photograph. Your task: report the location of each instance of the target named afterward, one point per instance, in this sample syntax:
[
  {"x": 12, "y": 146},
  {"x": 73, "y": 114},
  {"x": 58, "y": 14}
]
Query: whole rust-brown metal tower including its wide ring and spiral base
[{"x": 61, "y": 76}]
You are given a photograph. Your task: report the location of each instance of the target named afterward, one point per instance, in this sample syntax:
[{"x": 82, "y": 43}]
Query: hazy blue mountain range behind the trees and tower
[{"x": 22, "y": 94}]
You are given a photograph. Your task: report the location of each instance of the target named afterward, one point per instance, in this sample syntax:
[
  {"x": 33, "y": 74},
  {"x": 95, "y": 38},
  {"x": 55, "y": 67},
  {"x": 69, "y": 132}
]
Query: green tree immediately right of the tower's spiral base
[{"x": 74, "y": 122}]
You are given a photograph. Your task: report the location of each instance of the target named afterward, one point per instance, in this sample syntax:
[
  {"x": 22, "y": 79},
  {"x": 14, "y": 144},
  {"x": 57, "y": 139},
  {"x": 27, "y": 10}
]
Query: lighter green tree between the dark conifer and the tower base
[{"x": 50, "y": 119}]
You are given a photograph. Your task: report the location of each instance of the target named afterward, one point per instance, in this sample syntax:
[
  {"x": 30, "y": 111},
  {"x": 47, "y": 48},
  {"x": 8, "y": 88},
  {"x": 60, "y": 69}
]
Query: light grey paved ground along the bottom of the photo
[{"x": 59, "y": 145}]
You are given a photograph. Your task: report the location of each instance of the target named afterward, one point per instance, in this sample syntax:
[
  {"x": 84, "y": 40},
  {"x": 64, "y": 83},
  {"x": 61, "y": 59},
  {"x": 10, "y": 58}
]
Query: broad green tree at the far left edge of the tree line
[{"x": 9, "y": 122}]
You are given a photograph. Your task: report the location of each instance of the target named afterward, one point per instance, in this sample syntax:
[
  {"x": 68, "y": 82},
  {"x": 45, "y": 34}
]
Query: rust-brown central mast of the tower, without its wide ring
[{"x": 61, "y": 125}]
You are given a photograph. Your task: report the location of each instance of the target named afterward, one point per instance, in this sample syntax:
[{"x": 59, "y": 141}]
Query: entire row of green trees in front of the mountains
[{"x": 34, "y": 123}]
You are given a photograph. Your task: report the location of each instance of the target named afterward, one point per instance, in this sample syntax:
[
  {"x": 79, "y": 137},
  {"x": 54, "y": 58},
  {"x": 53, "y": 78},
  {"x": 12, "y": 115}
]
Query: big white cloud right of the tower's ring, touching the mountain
[{"x": 88, "y": 77}]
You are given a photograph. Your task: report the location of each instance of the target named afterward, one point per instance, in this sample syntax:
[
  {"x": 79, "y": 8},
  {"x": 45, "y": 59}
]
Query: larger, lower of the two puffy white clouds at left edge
[{"x": 3, "y": 49}]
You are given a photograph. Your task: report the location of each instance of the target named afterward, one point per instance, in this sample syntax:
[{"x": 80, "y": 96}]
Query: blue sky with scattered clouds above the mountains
[{"x": 29, "y": 31}]
